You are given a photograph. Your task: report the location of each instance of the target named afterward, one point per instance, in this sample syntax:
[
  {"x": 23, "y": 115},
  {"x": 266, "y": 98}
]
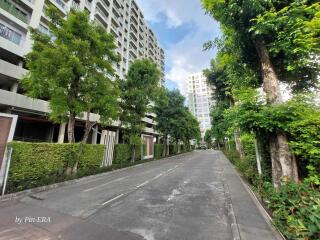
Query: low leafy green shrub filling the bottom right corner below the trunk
[{"x": 296, "y": 209}]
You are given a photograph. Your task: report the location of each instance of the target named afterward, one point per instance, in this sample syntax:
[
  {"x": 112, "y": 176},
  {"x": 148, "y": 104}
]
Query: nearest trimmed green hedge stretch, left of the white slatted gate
[{"x": 39, "y": 164}]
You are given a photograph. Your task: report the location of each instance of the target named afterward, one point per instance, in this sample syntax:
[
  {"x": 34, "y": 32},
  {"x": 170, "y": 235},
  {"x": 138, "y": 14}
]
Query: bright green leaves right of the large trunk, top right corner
[{"x": 293, "y": 38}]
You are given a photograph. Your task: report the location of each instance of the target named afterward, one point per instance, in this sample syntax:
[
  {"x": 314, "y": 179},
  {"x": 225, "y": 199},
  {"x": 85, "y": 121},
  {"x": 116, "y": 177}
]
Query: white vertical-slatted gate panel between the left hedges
[{"x": 108, "y": 139}]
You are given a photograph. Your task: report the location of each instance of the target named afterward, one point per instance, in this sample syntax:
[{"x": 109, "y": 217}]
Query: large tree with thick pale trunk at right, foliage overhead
[{"x": 277, "y": 38}]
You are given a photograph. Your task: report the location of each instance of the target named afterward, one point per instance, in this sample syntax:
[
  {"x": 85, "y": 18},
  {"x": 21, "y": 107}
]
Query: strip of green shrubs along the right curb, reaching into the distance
[{"x": 295, "y": 207}]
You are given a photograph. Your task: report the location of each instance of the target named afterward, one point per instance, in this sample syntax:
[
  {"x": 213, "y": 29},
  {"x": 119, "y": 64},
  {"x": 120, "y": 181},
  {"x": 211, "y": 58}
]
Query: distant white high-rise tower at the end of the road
[{"x": 200, "y": 100}]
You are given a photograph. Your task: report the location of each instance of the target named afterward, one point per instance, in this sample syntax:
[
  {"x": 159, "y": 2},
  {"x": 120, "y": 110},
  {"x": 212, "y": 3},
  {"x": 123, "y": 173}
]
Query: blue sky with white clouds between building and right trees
[{"x": 181, "y": 27}]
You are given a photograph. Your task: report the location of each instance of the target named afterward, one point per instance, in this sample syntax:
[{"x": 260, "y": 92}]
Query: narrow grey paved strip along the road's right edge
[{"x": 251, "y": 223}]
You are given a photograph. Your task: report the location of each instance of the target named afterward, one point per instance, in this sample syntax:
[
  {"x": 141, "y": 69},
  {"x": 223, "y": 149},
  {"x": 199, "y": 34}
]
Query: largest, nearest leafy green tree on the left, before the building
[{"x": 72, "y": 68}]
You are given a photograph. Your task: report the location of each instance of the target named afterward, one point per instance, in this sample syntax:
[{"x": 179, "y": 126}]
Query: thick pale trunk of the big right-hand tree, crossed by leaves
[{"x": 284, "y": 164}]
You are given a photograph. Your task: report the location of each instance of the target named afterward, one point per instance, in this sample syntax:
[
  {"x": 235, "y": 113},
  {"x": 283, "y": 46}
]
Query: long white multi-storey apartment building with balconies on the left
[{"x": 122, "y": 18}]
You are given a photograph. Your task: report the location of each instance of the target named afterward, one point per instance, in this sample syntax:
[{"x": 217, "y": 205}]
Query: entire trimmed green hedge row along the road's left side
[{"x": 39, "y": 164}]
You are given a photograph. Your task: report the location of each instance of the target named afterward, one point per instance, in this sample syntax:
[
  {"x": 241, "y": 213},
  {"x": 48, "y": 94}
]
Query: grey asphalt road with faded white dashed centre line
[{"x": 184, "y": 197}]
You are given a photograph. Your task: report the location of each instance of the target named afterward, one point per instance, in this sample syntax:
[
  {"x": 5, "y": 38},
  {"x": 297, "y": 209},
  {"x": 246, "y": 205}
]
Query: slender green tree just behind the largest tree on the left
[{"x": 138, "y": 91}]
